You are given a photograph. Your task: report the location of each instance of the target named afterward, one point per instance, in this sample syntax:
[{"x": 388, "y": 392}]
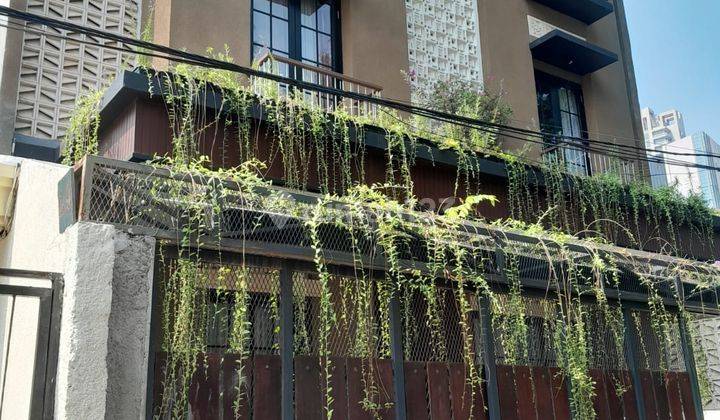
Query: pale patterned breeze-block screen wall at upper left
[{"x": 54, "y": 70}]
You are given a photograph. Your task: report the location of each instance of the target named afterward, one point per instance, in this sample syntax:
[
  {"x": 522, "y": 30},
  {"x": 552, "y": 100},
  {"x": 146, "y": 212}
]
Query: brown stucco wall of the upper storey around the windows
[{"x": 374, "y": 49}]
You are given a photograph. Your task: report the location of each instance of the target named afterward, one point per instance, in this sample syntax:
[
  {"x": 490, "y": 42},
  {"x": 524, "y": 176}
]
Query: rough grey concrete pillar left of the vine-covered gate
[{"x": 105, "y": 331}]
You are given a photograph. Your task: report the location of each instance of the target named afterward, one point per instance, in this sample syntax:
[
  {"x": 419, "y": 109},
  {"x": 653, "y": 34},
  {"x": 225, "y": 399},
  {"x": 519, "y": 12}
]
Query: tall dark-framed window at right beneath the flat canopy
[{"x": 562, "y": 120}]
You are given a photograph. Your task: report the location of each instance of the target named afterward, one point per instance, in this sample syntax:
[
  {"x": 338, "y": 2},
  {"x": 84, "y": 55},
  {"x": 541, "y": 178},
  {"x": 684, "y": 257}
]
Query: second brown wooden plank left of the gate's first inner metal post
[{"x": 235, "y": 388}]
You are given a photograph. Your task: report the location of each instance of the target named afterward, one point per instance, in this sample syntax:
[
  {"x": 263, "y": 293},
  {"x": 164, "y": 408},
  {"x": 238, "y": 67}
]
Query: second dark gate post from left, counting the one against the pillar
[{"x": 286, "y": 342}]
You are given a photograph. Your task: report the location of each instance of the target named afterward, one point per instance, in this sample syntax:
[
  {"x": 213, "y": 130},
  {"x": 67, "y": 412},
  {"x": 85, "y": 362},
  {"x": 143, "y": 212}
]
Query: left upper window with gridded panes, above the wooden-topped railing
[{"x": 303, "y": 30}]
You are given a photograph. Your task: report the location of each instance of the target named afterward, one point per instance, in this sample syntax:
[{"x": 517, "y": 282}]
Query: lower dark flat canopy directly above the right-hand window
[{"x": 571, "y": 53}]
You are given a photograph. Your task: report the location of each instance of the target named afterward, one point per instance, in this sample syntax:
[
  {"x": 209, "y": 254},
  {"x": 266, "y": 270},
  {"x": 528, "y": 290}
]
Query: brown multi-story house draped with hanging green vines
[{"x": 186, "y": 297}]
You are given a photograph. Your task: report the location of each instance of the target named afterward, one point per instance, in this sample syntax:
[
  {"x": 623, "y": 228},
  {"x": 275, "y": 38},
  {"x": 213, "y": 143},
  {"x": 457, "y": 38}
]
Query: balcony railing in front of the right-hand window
[{"x": 580, "y": 160}]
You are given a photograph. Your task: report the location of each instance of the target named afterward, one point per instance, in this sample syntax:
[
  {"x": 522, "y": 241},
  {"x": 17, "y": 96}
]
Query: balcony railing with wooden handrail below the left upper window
[{"x": 328, "y": 102}]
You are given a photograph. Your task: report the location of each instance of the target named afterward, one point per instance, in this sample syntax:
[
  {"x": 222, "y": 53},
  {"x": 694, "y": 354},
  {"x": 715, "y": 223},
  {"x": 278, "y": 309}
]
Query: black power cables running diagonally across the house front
[{"x": 202, "y": 61}]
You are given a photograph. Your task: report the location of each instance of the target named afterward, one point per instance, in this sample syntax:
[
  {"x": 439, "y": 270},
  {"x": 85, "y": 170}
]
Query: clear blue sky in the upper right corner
[{"x": 676, "y": 51}]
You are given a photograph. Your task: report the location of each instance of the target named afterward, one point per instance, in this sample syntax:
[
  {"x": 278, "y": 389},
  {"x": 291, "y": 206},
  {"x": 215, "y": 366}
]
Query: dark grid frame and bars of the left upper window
[{"x": 295, "y": 27}]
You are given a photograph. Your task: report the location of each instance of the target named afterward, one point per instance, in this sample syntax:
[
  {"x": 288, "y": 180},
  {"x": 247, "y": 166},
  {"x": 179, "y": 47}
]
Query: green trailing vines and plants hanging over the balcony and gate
[{"x": 307, "y": 137}]
